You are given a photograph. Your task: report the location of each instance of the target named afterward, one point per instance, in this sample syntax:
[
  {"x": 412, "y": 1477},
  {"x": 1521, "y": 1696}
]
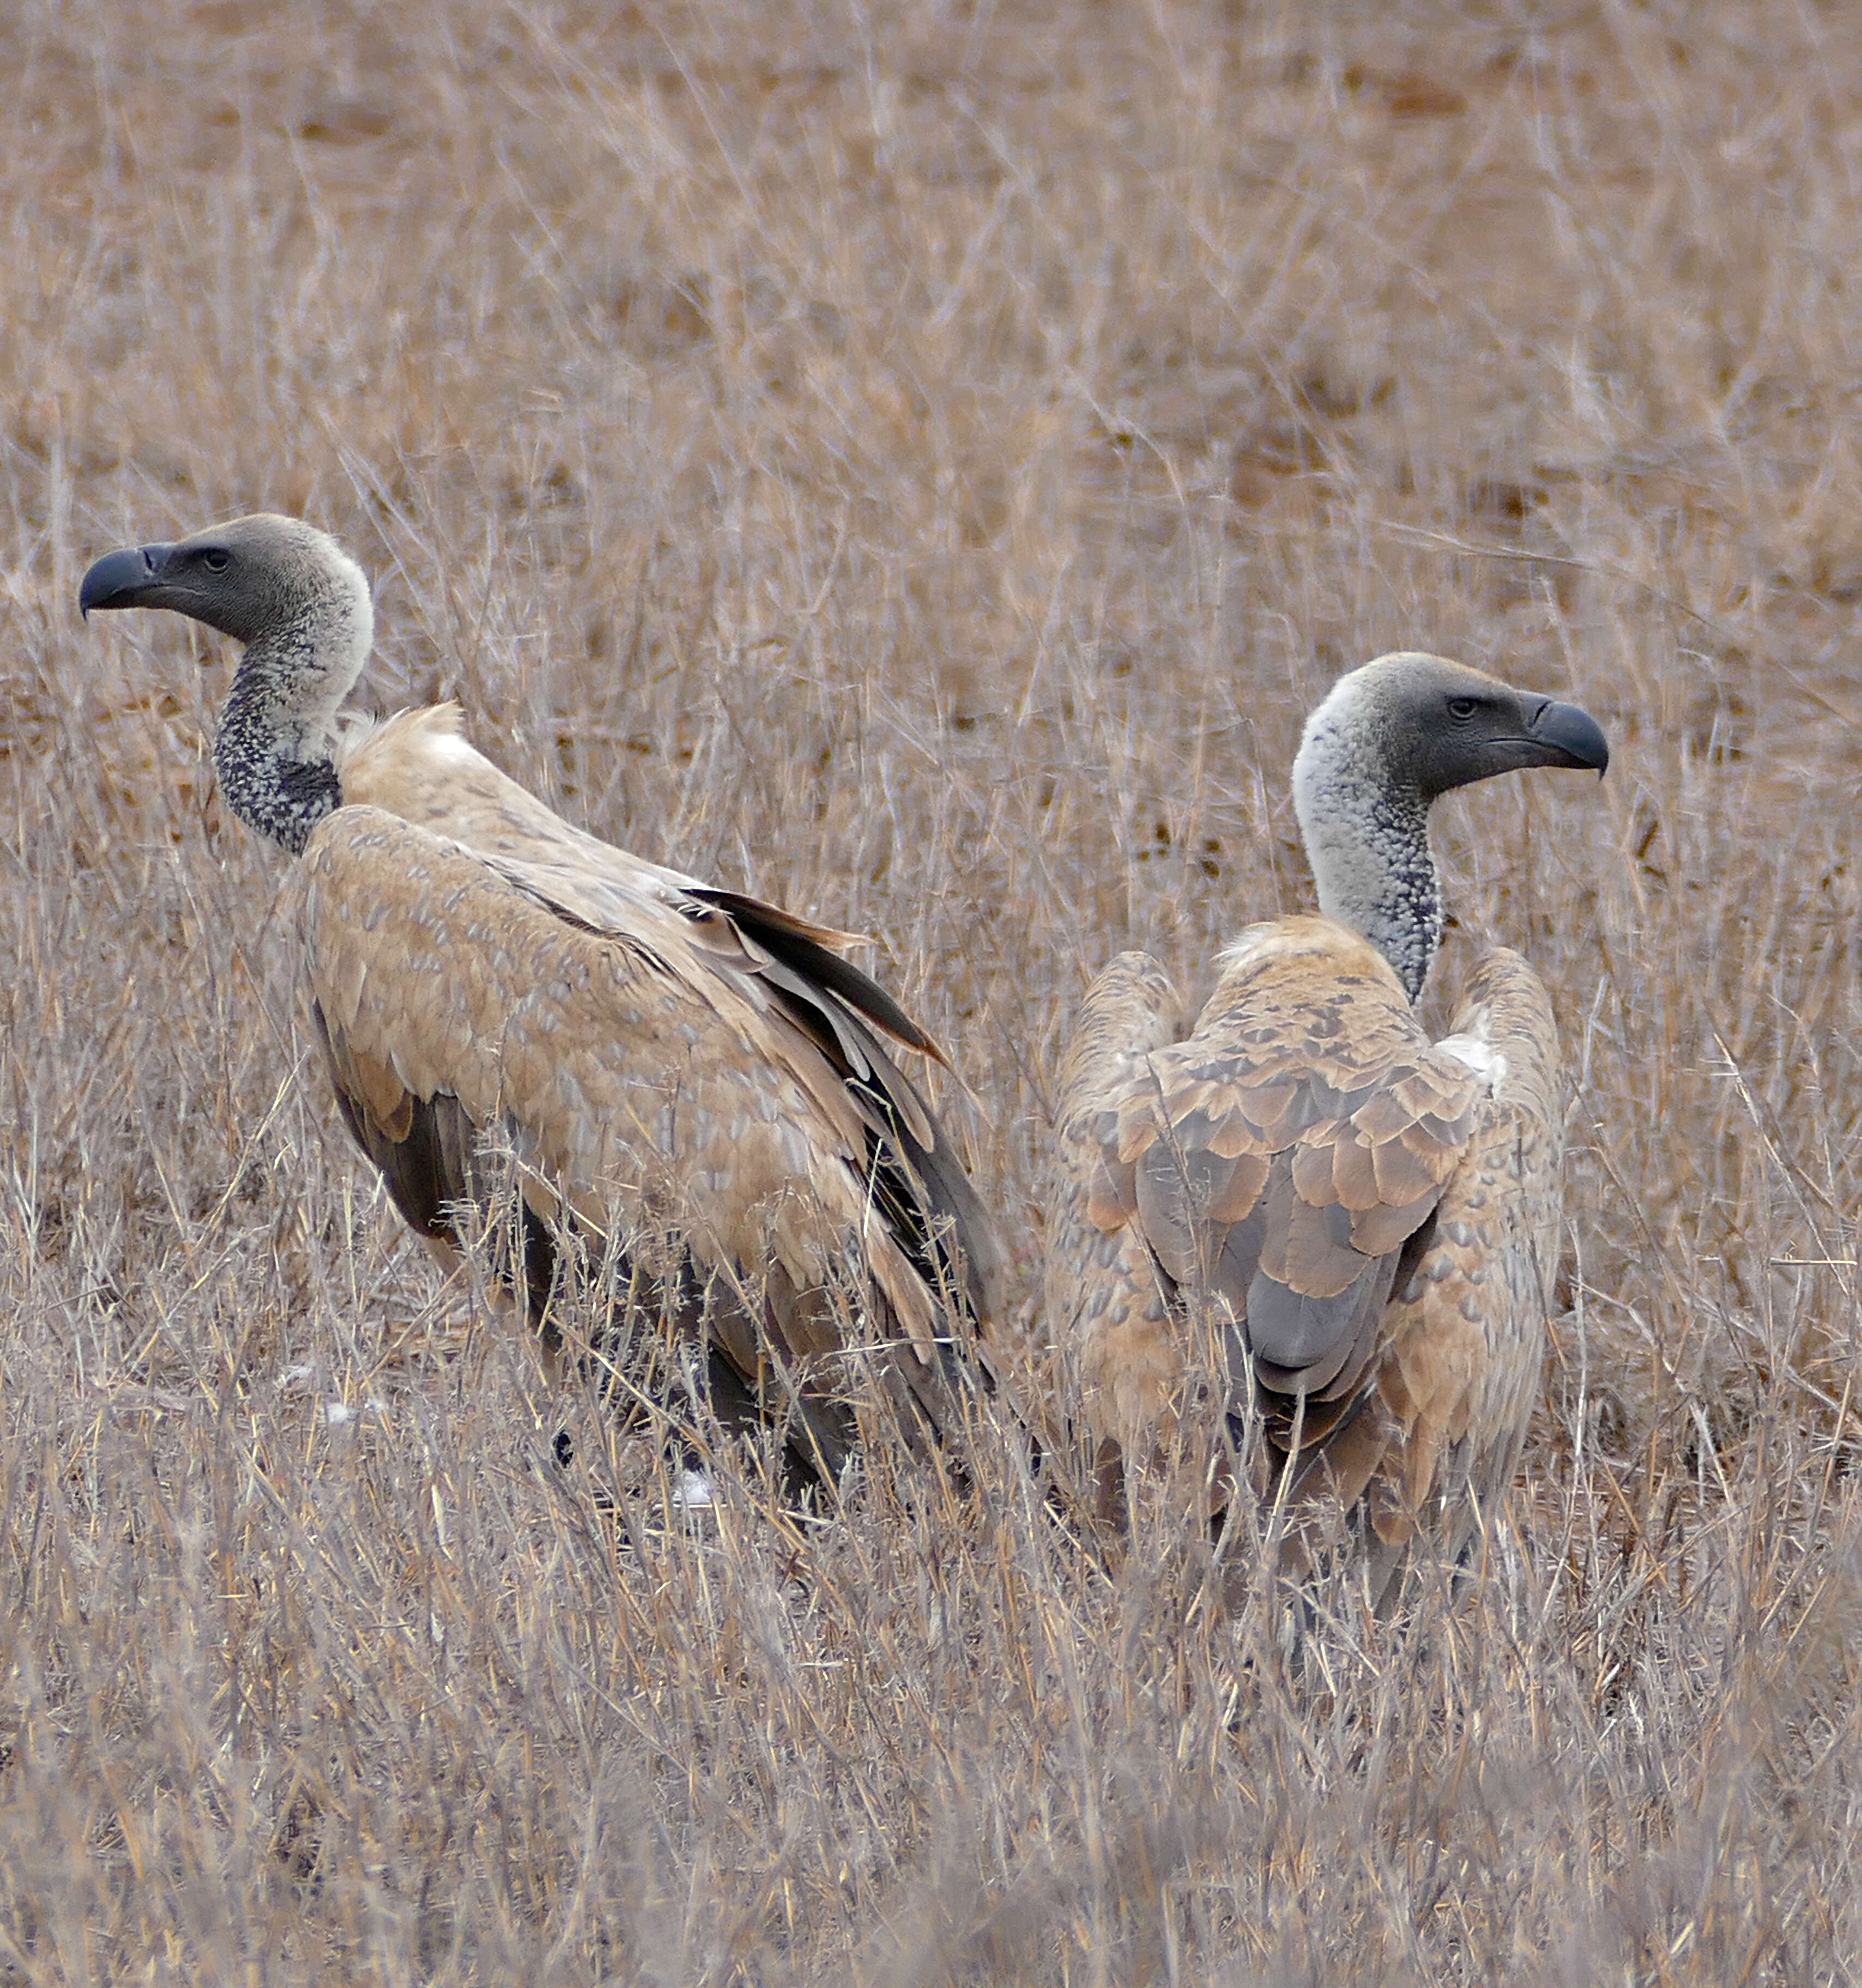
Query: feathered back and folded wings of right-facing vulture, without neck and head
[{"x": 1306, "y": 1158}]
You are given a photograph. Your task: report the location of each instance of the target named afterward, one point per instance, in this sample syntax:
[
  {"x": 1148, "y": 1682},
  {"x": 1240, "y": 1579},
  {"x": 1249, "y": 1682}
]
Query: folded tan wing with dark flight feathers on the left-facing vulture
[{"x": 661, "y": 1059}]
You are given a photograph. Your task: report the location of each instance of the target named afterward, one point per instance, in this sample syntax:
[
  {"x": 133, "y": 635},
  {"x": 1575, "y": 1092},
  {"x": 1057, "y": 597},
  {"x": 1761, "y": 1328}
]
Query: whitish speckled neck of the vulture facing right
[{"x": 1366, "y": 834}]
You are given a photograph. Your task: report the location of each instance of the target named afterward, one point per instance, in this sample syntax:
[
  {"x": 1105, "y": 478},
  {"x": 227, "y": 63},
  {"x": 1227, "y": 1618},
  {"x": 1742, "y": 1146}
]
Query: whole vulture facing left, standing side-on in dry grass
[{"x": 689, "y": 1078}]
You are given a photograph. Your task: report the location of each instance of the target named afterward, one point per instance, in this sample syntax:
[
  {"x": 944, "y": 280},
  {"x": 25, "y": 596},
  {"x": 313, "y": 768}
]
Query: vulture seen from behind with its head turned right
[{"x": 1356, "y": 1226}]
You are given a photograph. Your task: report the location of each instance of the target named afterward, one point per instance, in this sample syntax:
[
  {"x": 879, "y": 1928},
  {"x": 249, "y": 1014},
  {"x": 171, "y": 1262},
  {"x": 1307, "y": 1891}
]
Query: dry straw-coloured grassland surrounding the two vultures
[{"x": 920, "y": 464}]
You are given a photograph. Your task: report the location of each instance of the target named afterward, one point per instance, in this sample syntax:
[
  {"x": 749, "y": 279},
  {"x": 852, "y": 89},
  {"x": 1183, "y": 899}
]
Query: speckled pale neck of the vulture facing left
[{"x": 276, "y": 748}]
